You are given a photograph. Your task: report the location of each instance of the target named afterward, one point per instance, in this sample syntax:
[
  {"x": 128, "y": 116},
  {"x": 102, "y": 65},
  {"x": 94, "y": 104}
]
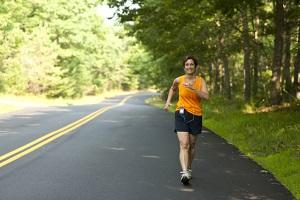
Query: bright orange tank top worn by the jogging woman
[{"x": 188, "y": 99}]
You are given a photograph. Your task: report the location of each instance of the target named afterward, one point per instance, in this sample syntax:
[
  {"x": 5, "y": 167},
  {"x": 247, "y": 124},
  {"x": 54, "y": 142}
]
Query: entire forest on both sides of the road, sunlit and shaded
[{"x": 246, "y": 49}]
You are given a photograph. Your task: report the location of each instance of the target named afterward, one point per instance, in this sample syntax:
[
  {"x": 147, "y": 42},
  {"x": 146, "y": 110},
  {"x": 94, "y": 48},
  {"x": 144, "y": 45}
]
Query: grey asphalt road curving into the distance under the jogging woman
[{"x": 126, "y": 153}]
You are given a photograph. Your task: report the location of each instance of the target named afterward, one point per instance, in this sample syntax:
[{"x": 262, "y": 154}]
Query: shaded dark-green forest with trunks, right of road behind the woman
[{"x": 247, "y": 49}]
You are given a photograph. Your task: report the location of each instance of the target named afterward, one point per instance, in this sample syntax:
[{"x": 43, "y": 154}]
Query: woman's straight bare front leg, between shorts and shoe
[{"x": 184, "y": 144}]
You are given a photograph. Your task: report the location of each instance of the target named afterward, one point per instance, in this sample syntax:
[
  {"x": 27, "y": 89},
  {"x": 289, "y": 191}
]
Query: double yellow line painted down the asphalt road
[{"x": 38, "y": 143}]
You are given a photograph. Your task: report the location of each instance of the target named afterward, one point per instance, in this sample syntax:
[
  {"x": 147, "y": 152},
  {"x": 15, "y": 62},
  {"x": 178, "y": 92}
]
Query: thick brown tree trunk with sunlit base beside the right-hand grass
[{"x": 277, "y": 56}]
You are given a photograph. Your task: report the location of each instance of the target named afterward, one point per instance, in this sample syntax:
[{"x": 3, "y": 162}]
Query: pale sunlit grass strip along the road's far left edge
[{"x": 9, "y": 103}]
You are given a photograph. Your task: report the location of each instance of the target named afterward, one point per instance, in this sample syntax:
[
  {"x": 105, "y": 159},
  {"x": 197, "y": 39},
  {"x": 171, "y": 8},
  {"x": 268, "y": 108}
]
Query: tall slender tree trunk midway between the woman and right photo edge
[{"x": 246, "y": 49}]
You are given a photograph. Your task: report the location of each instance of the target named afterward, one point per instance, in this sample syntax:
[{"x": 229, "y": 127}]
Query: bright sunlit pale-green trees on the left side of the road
[{"x": 64, "y": 49}]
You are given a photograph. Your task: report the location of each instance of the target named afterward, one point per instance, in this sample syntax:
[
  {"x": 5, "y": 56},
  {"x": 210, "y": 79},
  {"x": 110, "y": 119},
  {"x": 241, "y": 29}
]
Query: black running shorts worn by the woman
[{"x": 188, "y": 122}]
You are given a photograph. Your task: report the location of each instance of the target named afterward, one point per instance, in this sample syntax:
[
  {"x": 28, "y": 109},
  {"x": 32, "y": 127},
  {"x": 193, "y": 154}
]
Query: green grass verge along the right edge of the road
[{"x": 272, "y": 138}]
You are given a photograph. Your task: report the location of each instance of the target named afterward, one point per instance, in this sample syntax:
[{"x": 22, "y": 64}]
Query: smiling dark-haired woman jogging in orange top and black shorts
[{"x": 188, "y": 115}]
